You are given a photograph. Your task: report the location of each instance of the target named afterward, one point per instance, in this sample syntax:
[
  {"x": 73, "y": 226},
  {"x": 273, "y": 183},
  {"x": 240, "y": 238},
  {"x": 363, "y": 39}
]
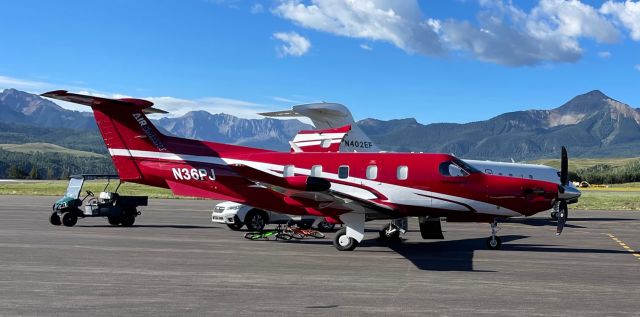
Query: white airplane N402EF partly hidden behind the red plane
[{"x": 330, "y": 117}]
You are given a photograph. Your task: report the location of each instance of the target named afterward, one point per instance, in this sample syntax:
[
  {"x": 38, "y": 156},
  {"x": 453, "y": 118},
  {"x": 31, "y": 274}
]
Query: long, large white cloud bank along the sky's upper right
[{"x": 502, "y": 33}]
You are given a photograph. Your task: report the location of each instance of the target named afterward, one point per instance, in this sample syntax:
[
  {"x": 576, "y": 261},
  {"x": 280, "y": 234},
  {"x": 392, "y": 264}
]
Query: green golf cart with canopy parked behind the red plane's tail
[{"x": 119, "y": 210}]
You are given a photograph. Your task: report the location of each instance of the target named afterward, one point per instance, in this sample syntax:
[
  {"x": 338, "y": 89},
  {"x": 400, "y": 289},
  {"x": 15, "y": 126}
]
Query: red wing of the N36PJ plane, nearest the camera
[{"x": 314, "y": 194}]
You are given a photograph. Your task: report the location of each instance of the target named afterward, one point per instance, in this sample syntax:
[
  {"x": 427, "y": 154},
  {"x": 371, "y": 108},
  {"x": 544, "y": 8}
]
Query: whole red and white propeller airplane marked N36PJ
[{"x": 351, "y": 187}]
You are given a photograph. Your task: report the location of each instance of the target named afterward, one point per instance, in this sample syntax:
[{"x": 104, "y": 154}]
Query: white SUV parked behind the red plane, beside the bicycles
[{"x": 235, "y": 216}]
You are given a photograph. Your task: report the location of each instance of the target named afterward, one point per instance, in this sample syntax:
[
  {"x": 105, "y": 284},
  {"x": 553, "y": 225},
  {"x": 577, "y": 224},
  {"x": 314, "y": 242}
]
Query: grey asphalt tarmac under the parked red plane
[{"x": 174, "y": 261}]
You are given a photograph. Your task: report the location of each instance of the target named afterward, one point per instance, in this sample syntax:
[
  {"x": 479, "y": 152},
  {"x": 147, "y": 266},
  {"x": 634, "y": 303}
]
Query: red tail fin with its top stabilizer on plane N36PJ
[{"x": 124, "y": 128}]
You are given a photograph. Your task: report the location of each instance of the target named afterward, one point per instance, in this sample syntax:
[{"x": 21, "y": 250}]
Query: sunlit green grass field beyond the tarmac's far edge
[{"x": 619, "y": 197}]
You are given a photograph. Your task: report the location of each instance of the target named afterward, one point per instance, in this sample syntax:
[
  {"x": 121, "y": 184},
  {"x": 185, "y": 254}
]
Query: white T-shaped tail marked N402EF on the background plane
[{"x": 331, "y": 116}]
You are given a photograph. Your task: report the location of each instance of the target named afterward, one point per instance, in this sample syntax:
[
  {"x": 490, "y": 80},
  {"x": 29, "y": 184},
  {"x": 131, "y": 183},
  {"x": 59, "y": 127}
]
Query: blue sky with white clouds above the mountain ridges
[{"x": 437, "y": 61}]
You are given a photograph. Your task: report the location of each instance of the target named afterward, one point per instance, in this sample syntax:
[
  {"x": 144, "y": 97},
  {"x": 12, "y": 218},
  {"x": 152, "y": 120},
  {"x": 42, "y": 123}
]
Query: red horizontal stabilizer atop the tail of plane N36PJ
[{"x": 92, "y": 101}]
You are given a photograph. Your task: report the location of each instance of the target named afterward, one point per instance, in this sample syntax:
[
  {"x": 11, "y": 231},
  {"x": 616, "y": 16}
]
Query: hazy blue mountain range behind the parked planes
[{"x": 590, "y": 125}]
